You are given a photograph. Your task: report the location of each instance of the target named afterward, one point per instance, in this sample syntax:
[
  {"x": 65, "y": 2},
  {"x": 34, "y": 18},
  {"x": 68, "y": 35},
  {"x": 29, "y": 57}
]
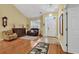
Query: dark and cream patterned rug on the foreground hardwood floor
[{"x": 40, "y": 48}]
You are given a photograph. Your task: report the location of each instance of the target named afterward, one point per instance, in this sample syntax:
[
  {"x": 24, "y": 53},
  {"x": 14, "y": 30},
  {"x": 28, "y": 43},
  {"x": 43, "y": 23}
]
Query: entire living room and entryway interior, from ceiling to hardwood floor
[{"x": 39, "y": 28}]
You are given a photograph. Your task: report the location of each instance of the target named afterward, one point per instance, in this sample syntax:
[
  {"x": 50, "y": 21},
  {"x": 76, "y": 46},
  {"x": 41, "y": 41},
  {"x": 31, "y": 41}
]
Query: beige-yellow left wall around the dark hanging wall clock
[{"x": 14, "y": 17}]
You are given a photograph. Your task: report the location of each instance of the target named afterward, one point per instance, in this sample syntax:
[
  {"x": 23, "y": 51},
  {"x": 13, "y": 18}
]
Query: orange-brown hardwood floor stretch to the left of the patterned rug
[{"x": 18, "y": 46}]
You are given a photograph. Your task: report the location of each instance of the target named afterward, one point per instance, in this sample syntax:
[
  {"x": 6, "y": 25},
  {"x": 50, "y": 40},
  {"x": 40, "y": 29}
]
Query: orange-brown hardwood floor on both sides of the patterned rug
[{"x": 23, "y": 46}]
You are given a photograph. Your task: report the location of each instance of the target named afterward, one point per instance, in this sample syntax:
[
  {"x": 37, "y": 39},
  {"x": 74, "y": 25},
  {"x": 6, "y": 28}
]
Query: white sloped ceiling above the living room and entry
[{"x": 33, "y": 10}]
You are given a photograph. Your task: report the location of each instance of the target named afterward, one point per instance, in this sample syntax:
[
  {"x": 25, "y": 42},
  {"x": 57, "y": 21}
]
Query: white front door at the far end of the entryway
[{"x": 50, "y": 26}]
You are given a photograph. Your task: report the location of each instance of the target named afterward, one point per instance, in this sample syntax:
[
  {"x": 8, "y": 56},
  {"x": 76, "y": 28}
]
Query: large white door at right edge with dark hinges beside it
[{"x": 73, "y": 30}]
